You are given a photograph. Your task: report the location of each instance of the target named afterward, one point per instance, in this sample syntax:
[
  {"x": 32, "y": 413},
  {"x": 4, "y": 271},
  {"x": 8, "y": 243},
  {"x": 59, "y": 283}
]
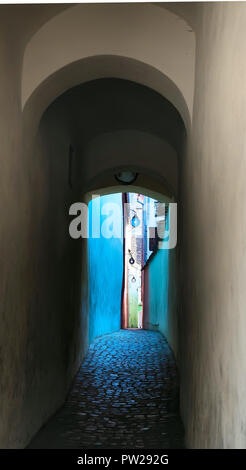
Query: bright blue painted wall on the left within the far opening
[{"x": 105, "y": 268}]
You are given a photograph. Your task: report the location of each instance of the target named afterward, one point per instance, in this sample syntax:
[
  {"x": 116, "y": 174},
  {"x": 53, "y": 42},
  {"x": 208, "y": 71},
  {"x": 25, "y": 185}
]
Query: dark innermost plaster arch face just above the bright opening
[{"x": 124, "y": 148}]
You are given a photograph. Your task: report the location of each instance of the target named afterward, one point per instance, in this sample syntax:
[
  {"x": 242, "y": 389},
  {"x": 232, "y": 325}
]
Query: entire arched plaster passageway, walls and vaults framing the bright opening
[{"x": 81, "y": 99}]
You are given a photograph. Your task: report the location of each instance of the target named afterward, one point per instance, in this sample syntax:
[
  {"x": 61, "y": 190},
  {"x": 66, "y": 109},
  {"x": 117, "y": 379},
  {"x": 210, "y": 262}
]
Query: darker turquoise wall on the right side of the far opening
[{"x": 160, "y": 296}]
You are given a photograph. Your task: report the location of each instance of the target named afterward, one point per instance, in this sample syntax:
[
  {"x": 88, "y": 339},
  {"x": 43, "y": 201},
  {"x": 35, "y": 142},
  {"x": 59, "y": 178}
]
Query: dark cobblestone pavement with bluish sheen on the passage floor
[{"x": 125, "y": 395}]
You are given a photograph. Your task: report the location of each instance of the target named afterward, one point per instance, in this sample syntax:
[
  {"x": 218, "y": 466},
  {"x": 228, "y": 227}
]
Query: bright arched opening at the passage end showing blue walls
[{"x": 131, "y": 279}]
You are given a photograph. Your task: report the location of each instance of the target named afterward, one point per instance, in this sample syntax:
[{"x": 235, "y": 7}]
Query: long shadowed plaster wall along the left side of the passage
[{"x": 40, "y": 315}]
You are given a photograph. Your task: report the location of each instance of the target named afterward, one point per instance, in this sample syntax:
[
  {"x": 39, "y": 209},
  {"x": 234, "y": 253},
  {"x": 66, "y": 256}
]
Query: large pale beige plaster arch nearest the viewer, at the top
[{"x": 143, "y": 32}]
